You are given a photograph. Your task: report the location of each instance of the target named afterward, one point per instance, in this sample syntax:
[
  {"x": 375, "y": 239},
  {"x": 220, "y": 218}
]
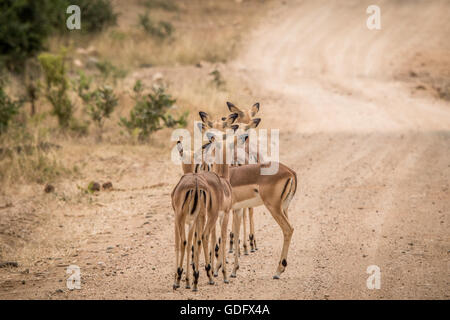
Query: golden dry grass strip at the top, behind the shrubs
[{"x": 204, "y": 31}]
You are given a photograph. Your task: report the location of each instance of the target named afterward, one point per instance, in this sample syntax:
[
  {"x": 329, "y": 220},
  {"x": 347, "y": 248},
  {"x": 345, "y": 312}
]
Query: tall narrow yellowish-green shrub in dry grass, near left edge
[{"x": 57, "y": 86}]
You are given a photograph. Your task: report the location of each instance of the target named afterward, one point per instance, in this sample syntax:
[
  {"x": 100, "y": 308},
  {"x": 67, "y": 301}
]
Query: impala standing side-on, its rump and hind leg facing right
[{"x": 252, "y": 189}]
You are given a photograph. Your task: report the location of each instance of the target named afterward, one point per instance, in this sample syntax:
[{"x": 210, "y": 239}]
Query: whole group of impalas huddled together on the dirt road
[{"x": 225, "y": 180}]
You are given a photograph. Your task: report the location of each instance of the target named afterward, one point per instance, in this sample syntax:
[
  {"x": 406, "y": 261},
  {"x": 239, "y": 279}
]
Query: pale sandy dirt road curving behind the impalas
[{"x": 372, "y": 155}]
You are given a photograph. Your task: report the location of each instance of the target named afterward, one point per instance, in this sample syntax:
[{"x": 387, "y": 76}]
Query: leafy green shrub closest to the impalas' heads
[{"x": 150, "y": 112}]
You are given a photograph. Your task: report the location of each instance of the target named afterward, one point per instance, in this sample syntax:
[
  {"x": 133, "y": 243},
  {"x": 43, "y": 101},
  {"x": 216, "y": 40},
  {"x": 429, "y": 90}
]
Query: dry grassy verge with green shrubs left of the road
[{"x": 118, "y": 80}]
